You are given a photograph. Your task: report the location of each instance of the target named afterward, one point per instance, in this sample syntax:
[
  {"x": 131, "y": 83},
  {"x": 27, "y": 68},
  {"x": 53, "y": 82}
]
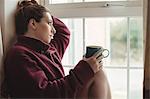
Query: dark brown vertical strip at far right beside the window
[{"x": 146, "y": 83}]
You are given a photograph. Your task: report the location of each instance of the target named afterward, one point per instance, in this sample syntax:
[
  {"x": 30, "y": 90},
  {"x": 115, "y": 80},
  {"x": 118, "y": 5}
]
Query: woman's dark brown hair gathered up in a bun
[{"x": 27, "y": 10}]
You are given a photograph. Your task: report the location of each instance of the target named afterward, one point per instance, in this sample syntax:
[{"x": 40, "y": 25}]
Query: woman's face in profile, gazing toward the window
[{"x": 45, "y": 29}]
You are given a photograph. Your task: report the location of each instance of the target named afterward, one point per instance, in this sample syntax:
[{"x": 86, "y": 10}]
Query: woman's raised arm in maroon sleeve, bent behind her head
[{"x": 61, "y": 37}]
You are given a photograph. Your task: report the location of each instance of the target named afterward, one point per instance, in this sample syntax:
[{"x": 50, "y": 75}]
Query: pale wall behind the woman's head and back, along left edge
[{"x": 7, "y": 8}]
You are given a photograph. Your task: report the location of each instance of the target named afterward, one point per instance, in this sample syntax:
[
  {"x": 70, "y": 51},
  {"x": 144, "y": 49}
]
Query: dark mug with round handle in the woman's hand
[{"x": 90, "y": 50}]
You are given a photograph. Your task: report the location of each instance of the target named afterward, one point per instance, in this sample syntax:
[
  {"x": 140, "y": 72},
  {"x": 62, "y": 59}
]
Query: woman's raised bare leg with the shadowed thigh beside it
[{"x": 96, "y": 88}]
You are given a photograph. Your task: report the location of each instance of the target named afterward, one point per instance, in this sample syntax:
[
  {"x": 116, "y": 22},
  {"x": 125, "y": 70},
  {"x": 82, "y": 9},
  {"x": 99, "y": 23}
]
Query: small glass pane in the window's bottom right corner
[{"x": 136, "y": 82}]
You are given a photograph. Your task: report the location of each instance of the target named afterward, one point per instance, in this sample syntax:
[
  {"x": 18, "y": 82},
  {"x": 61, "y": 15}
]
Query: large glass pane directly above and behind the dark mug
[{"x": 111, "y": 33}]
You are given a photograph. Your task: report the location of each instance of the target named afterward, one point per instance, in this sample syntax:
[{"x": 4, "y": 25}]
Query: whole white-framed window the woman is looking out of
[{"x": 113, "y": 24}]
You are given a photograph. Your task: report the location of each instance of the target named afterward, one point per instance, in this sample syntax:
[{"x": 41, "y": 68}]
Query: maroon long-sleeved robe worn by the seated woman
[{"x": 33, "y": 68}]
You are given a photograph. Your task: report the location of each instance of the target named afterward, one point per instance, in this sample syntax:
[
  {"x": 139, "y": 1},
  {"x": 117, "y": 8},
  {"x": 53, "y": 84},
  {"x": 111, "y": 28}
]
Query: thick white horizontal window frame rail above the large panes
[{"x": 90, "y": 9}]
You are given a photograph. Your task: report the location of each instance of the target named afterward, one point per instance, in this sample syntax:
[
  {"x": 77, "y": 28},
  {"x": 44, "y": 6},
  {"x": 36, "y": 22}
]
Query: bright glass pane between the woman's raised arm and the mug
[{"x": 74, "y": 51}]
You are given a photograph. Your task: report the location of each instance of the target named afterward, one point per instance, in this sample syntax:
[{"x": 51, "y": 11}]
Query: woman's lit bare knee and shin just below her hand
[{"x": 99, "y": 88}]
